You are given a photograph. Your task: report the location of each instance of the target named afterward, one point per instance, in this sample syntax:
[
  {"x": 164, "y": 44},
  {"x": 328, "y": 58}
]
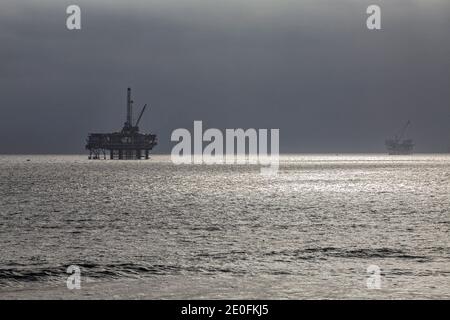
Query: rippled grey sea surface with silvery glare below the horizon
[{"x": 152, "y": 229}]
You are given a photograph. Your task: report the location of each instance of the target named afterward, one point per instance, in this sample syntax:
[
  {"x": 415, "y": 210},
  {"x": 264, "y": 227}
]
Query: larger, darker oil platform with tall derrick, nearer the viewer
[{"x": 127, "y": 144}]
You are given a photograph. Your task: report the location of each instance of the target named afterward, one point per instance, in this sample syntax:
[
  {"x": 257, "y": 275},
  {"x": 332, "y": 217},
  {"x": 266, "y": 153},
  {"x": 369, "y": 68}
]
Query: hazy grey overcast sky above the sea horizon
[{"x": 310, "y": 68}]
